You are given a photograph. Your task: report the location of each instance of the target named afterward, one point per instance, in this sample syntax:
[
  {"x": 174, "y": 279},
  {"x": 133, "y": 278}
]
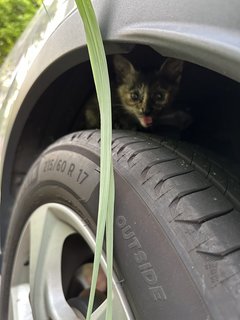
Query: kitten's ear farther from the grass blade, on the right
[{"x": 172, "y": 69}]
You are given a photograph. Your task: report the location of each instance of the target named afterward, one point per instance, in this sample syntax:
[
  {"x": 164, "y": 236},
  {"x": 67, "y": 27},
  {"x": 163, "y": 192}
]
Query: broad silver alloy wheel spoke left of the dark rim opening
[{"x": 47, "y": 235}]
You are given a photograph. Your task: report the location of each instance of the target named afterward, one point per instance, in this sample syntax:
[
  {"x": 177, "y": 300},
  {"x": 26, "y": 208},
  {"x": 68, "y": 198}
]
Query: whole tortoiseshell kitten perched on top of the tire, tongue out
[{"x": 138, "y": 98}]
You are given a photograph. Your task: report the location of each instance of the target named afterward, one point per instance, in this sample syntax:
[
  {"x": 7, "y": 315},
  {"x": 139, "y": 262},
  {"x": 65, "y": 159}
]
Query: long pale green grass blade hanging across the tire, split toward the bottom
[{"x": 106, "y": 195}]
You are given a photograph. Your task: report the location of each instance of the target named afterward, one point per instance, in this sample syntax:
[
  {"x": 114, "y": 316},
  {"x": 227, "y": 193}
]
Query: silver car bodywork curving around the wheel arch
[{"x": 204, "y": 32}]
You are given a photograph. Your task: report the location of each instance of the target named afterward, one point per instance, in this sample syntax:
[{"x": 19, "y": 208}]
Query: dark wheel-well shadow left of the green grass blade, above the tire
[{"x": 52, "y": 117}]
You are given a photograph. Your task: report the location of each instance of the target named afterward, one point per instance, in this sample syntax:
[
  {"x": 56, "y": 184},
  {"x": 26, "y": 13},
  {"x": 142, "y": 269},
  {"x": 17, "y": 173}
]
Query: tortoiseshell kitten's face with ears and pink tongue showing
[{"x": 146, "y": 95}]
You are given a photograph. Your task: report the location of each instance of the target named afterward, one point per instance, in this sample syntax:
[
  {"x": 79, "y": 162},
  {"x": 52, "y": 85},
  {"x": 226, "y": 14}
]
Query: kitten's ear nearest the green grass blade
[{"x": 125, "y": 71}]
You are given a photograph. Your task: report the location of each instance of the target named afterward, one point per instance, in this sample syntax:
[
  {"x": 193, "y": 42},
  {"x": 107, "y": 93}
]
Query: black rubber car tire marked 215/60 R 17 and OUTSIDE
[{"x": 177, "y": 239}]
